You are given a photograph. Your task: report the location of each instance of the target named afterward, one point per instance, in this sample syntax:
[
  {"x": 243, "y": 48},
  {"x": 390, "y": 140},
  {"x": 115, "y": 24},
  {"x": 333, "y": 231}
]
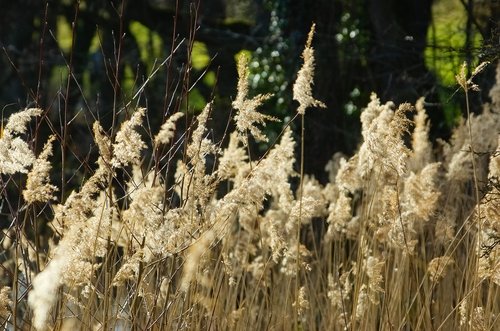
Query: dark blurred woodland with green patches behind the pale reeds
[{"x": 87, "y": 60}]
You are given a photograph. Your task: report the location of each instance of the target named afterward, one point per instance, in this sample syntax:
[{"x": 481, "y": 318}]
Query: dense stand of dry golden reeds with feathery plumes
[{"x": 411, "y": 240}]
